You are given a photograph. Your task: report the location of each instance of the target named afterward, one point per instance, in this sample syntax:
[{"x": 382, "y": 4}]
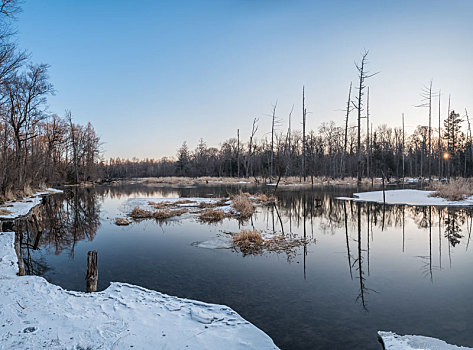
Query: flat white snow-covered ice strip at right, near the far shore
[{"x": 409, "y": 197}]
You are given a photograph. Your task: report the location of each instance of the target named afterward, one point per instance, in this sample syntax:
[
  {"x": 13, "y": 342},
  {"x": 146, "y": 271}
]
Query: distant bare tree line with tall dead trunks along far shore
[{"x": 330, "y": 151}]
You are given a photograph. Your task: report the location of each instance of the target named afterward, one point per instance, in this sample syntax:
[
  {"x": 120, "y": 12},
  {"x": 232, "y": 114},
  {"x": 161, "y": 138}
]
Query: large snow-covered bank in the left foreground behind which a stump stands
[{"x": 36, "y": 314}]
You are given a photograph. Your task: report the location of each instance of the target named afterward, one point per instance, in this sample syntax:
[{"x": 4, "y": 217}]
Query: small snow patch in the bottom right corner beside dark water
[{"x": 392, "y": 341}]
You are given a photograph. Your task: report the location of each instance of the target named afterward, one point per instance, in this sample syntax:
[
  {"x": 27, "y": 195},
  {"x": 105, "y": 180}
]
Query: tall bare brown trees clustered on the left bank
[{"x": 36, "y": 146}]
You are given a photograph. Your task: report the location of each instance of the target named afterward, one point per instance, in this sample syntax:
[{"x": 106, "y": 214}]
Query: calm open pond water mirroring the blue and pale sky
[{"x": 414, "y": 280}]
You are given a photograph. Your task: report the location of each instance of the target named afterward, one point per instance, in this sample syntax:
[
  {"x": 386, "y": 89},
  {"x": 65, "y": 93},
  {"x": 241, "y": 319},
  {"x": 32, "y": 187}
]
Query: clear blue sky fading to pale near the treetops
[{"x": 150, "y": 75}]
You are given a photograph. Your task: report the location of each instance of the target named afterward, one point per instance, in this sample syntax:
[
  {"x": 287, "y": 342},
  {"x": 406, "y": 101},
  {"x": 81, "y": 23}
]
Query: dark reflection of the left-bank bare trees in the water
[{"x": 63, "y": 221}]
